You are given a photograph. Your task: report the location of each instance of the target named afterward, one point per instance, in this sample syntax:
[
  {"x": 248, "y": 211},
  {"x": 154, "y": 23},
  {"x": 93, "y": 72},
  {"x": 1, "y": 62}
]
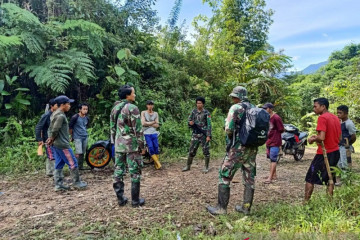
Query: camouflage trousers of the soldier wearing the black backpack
[{"x": 241, "y": 157}]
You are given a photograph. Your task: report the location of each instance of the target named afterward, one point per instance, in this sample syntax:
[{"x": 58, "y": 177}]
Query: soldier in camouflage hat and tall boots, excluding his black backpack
[{"x": 238, "y": 156}]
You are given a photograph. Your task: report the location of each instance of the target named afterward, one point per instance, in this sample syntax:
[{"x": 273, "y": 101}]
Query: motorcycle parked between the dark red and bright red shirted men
[{"x": 293, "y": 142}]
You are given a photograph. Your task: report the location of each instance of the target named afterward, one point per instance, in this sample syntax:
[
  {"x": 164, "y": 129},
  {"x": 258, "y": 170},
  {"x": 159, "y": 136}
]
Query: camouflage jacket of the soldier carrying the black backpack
[{"x": 232, "y": 122}]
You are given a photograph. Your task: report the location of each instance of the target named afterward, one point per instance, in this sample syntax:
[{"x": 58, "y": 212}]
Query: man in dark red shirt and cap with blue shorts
[{"x": 273, "y": 143}]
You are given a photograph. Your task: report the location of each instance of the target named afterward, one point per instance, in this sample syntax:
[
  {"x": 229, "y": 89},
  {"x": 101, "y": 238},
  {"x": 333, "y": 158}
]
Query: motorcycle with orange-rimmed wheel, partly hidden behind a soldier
[{"x": 101, "y": 152}]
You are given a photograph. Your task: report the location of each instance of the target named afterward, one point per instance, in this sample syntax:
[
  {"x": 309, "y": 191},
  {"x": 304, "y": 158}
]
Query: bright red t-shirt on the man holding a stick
[{"x": 330, "y": 124}]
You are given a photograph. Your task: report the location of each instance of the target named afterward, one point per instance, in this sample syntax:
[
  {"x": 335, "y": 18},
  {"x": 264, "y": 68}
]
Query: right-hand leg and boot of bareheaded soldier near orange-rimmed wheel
[{"x": 135, "y": 163}]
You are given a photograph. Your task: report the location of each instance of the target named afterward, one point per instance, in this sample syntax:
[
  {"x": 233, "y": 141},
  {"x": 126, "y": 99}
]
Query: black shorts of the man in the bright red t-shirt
[{"x": 317, "y": 173}]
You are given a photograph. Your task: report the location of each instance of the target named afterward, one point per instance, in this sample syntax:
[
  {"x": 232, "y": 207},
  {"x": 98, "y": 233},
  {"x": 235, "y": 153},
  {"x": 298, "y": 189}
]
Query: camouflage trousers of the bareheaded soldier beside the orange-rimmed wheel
[{"x": 133, "y": 161}]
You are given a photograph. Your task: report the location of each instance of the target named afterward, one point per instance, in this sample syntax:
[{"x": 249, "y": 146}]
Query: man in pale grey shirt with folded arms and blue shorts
[{"x": 150, "y": 121}]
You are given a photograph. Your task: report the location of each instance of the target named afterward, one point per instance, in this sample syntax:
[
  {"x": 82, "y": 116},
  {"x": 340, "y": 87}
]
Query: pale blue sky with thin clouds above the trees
[{"x": 308, "y": 31}]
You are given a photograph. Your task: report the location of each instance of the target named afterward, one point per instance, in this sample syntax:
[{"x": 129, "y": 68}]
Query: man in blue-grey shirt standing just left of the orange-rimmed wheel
[{"x": 77, "y": 128}]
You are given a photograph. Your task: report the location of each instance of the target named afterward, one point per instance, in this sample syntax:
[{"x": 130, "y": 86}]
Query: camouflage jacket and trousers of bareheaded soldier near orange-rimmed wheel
[{"x": 128, "y": 137}]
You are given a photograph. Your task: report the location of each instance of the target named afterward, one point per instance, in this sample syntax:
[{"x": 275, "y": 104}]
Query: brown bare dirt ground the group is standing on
[{"x": 30, "y": 208}]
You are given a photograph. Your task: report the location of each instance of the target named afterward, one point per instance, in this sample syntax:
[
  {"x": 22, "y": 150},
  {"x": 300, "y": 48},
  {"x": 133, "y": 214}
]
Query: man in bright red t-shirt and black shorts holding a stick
[{"x": 329, "y": 131}]
